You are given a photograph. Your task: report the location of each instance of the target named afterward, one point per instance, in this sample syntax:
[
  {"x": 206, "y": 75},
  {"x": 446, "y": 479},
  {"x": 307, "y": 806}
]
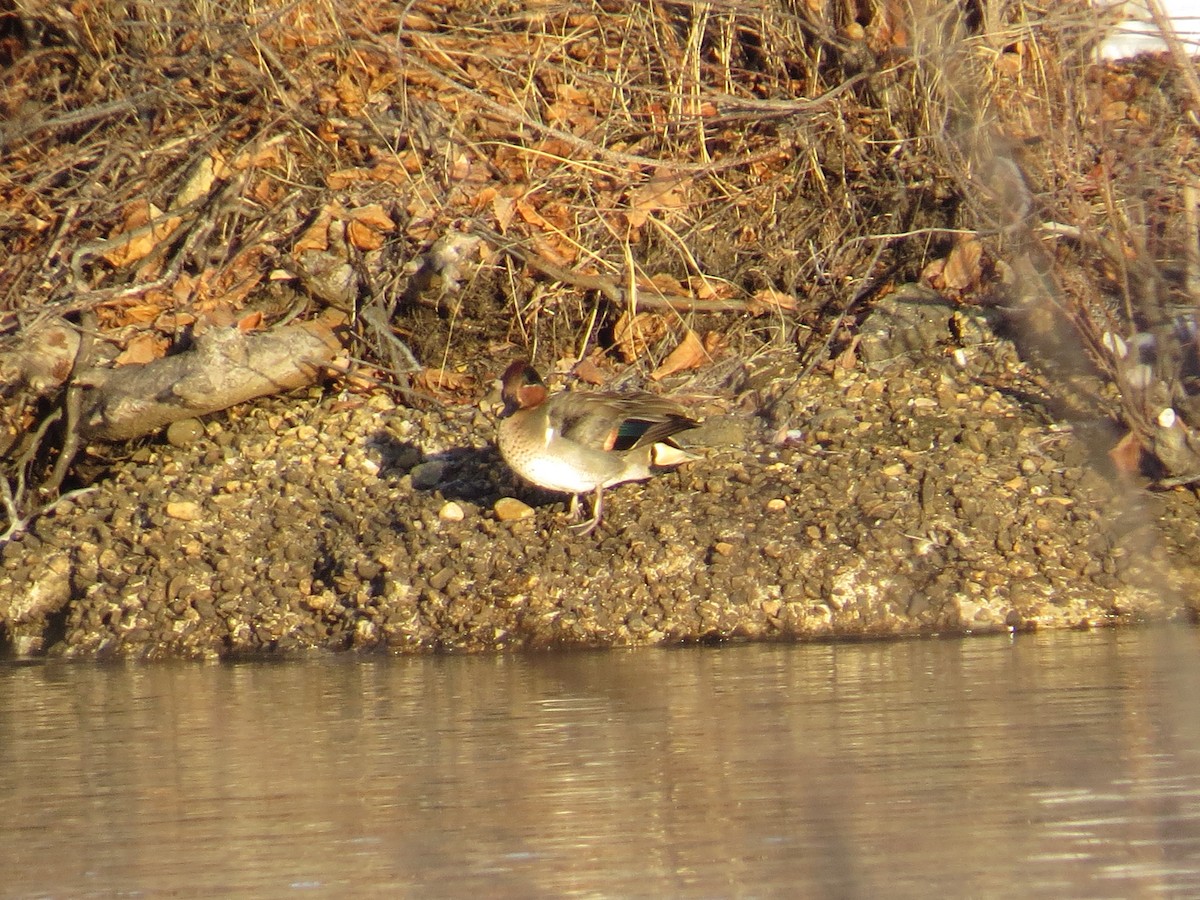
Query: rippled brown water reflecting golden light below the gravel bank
[{"x": 1045, "y": 766}]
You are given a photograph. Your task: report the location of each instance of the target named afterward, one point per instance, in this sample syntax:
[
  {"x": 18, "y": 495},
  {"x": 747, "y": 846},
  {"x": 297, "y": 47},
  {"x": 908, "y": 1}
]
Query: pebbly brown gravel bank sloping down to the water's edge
[{"x": 931, "y": 494}]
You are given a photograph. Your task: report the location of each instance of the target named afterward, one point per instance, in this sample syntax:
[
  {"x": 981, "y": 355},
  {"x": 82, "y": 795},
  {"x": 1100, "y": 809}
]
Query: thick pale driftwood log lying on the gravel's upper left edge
[{"x": 224, "y": 369}]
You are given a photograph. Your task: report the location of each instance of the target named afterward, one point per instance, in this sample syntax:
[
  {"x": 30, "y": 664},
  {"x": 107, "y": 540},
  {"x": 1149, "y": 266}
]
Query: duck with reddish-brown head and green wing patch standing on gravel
[{"x": 585, "y": 442}]
